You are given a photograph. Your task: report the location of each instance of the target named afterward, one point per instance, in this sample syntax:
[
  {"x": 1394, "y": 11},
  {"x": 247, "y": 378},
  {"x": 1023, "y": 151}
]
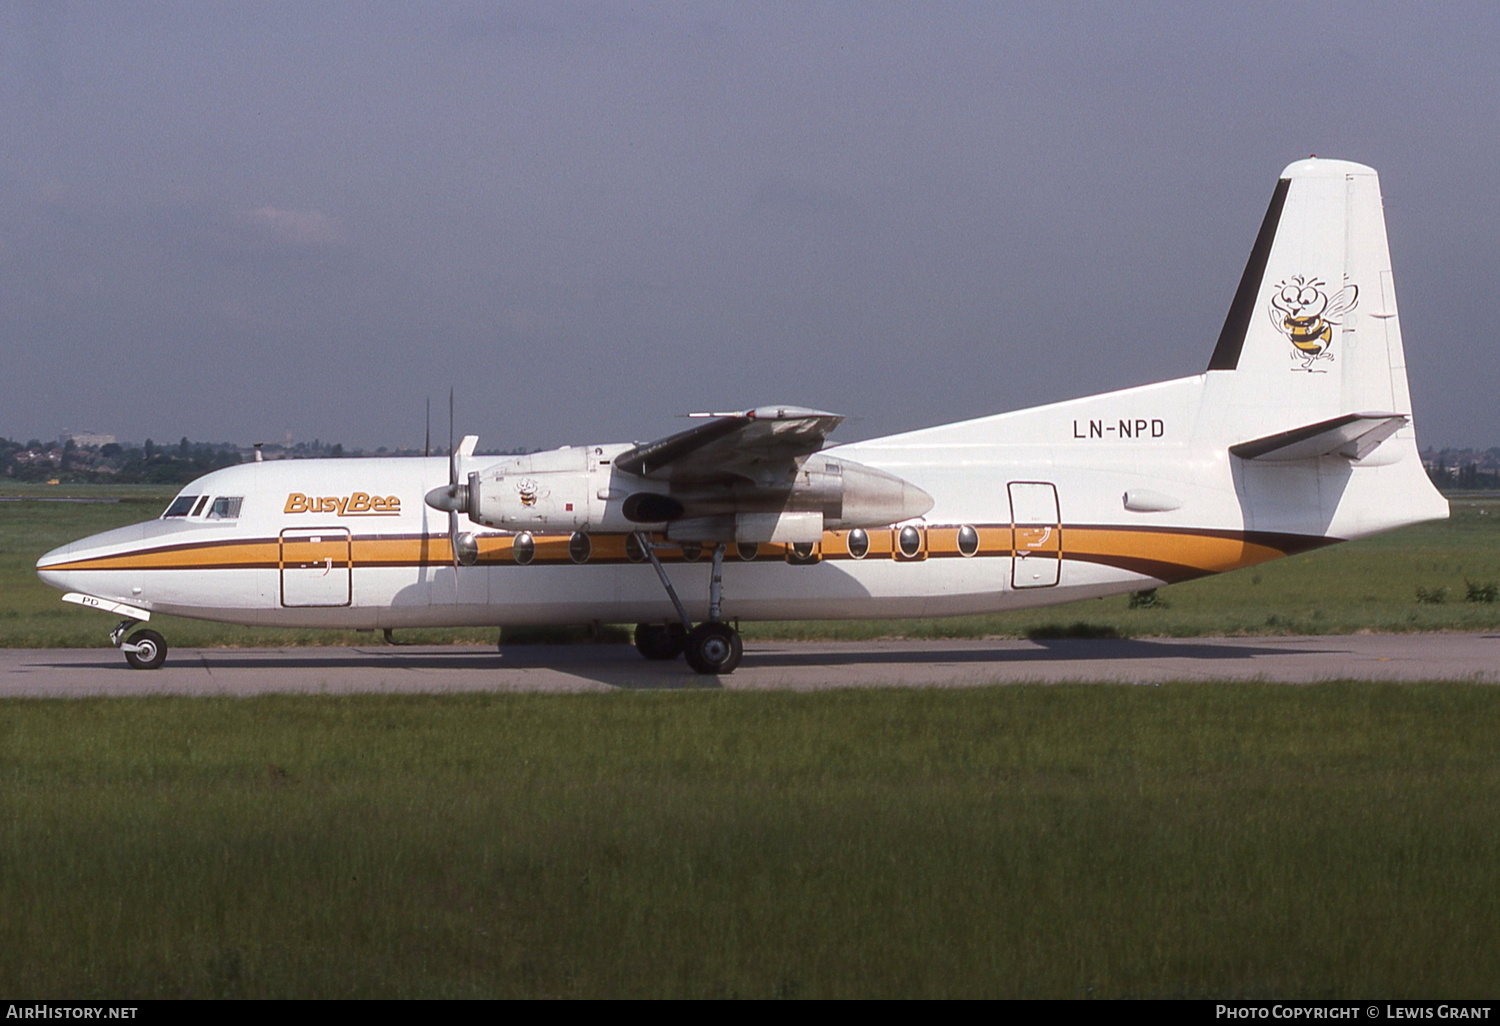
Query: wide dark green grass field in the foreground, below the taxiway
[{"x": 1042, "y": 842}]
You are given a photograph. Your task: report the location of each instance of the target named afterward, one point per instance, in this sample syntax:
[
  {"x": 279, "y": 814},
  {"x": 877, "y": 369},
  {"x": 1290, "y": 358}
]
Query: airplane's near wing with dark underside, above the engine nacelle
[{"x": 733, "y": 445}]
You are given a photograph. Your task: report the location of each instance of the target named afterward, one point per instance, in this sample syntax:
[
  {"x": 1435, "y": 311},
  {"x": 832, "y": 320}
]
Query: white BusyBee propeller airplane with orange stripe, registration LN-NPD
[{"x": 1297, "y": 436}]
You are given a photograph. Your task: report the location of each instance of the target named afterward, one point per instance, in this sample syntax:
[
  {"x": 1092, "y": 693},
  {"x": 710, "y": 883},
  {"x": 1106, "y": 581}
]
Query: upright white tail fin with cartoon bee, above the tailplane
[{"x": 1313, "y": 331}]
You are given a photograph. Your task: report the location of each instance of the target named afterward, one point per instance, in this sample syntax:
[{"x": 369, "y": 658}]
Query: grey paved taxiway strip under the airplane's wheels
[{"x": 767, "y": 665}]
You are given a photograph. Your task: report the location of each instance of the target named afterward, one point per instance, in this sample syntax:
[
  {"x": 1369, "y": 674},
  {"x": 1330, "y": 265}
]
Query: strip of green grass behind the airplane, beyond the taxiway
[{"x": 1363, "y": 586}]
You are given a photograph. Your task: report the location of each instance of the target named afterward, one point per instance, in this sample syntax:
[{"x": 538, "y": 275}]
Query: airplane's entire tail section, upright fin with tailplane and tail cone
[{"x": 1309, "y": 374}]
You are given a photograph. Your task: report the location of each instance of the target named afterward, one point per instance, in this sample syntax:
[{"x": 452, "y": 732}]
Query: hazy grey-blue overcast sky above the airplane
[{"x": 235, "y": 221}]
